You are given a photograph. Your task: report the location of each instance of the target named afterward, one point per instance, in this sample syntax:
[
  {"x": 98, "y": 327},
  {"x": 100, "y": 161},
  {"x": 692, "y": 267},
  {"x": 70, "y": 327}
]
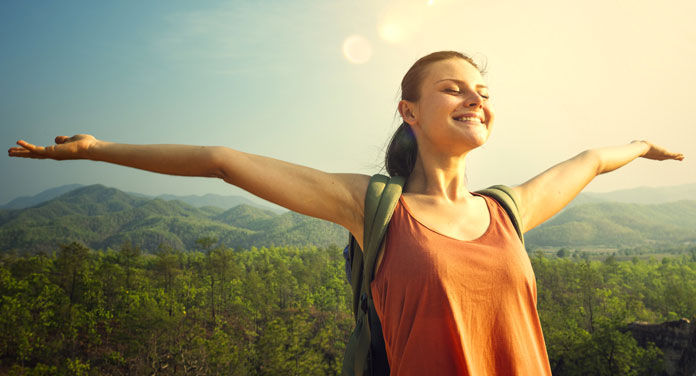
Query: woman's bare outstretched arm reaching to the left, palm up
[{"x": 338, "y": 198}]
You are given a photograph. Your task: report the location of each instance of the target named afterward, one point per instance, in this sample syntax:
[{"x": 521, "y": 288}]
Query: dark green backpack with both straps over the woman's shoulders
[{"x": 365, "y": 352}]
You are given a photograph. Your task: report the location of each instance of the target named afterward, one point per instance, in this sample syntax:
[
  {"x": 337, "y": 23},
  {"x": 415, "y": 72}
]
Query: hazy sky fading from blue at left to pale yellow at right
[{"x": 316, "y": 83}]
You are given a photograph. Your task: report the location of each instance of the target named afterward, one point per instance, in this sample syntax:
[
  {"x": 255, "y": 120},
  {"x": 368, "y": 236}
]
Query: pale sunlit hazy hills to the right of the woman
[{"x": 612, "y": 224}]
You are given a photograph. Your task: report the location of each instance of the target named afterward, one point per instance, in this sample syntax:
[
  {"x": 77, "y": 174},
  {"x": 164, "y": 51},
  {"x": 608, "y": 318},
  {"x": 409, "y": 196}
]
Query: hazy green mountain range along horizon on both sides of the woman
[{"x": 104, "y": 217}]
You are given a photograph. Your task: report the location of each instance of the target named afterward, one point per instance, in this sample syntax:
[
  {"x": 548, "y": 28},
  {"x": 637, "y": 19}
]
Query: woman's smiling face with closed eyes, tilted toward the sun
[{"x": 453, "y": 114}]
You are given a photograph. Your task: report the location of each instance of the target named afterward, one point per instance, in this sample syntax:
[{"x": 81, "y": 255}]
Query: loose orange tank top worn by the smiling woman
[{"x": 453, "y": 307}]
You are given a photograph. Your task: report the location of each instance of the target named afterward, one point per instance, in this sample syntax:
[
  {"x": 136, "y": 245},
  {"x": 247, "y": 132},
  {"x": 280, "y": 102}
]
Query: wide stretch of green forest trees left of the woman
[{"x": 267, "y": 311}]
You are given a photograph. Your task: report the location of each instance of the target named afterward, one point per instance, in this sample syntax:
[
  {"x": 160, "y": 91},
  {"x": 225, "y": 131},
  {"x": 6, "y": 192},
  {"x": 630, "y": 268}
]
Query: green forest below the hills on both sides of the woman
[{"x": 285, "y": 310}]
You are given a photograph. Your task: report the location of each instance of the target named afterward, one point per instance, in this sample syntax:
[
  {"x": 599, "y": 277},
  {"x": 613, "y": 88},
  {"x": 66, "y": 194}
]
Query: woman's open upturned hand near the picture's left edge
[{"x": 75, "y": 147}]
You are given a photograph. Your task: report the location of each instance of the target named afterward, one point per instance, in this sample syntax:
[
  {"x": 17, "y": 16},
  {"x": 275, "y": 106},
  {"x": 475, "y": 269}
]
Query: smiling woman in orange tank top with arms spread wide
[{"x": 454, "y": 288}]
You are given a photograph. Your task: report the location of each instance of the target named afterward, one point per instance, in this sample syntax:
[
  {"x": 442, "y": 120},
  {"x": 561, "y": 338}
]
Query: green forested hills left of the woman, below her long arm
[{"x": 102, "y": 217}]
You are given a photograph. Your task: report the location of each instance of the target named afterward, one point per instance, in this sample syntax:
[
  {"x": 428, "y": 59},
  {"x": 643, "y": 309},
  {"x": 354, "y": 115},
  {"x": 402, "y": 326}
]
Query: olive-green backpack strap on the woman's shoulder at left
[{"x": 380, "y": 201}]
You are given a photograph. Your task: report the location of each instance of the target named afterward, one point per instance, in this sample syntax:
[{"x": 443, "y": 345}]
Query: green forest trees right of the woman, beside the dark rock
[{"x": 584, "y": 307}]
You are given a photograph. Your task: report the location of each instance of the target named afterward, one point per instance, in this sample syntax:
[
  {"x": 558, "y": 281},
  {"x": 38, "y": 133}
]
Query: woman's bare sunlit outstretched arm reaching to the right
[{"x": 547, "y": 193}]
